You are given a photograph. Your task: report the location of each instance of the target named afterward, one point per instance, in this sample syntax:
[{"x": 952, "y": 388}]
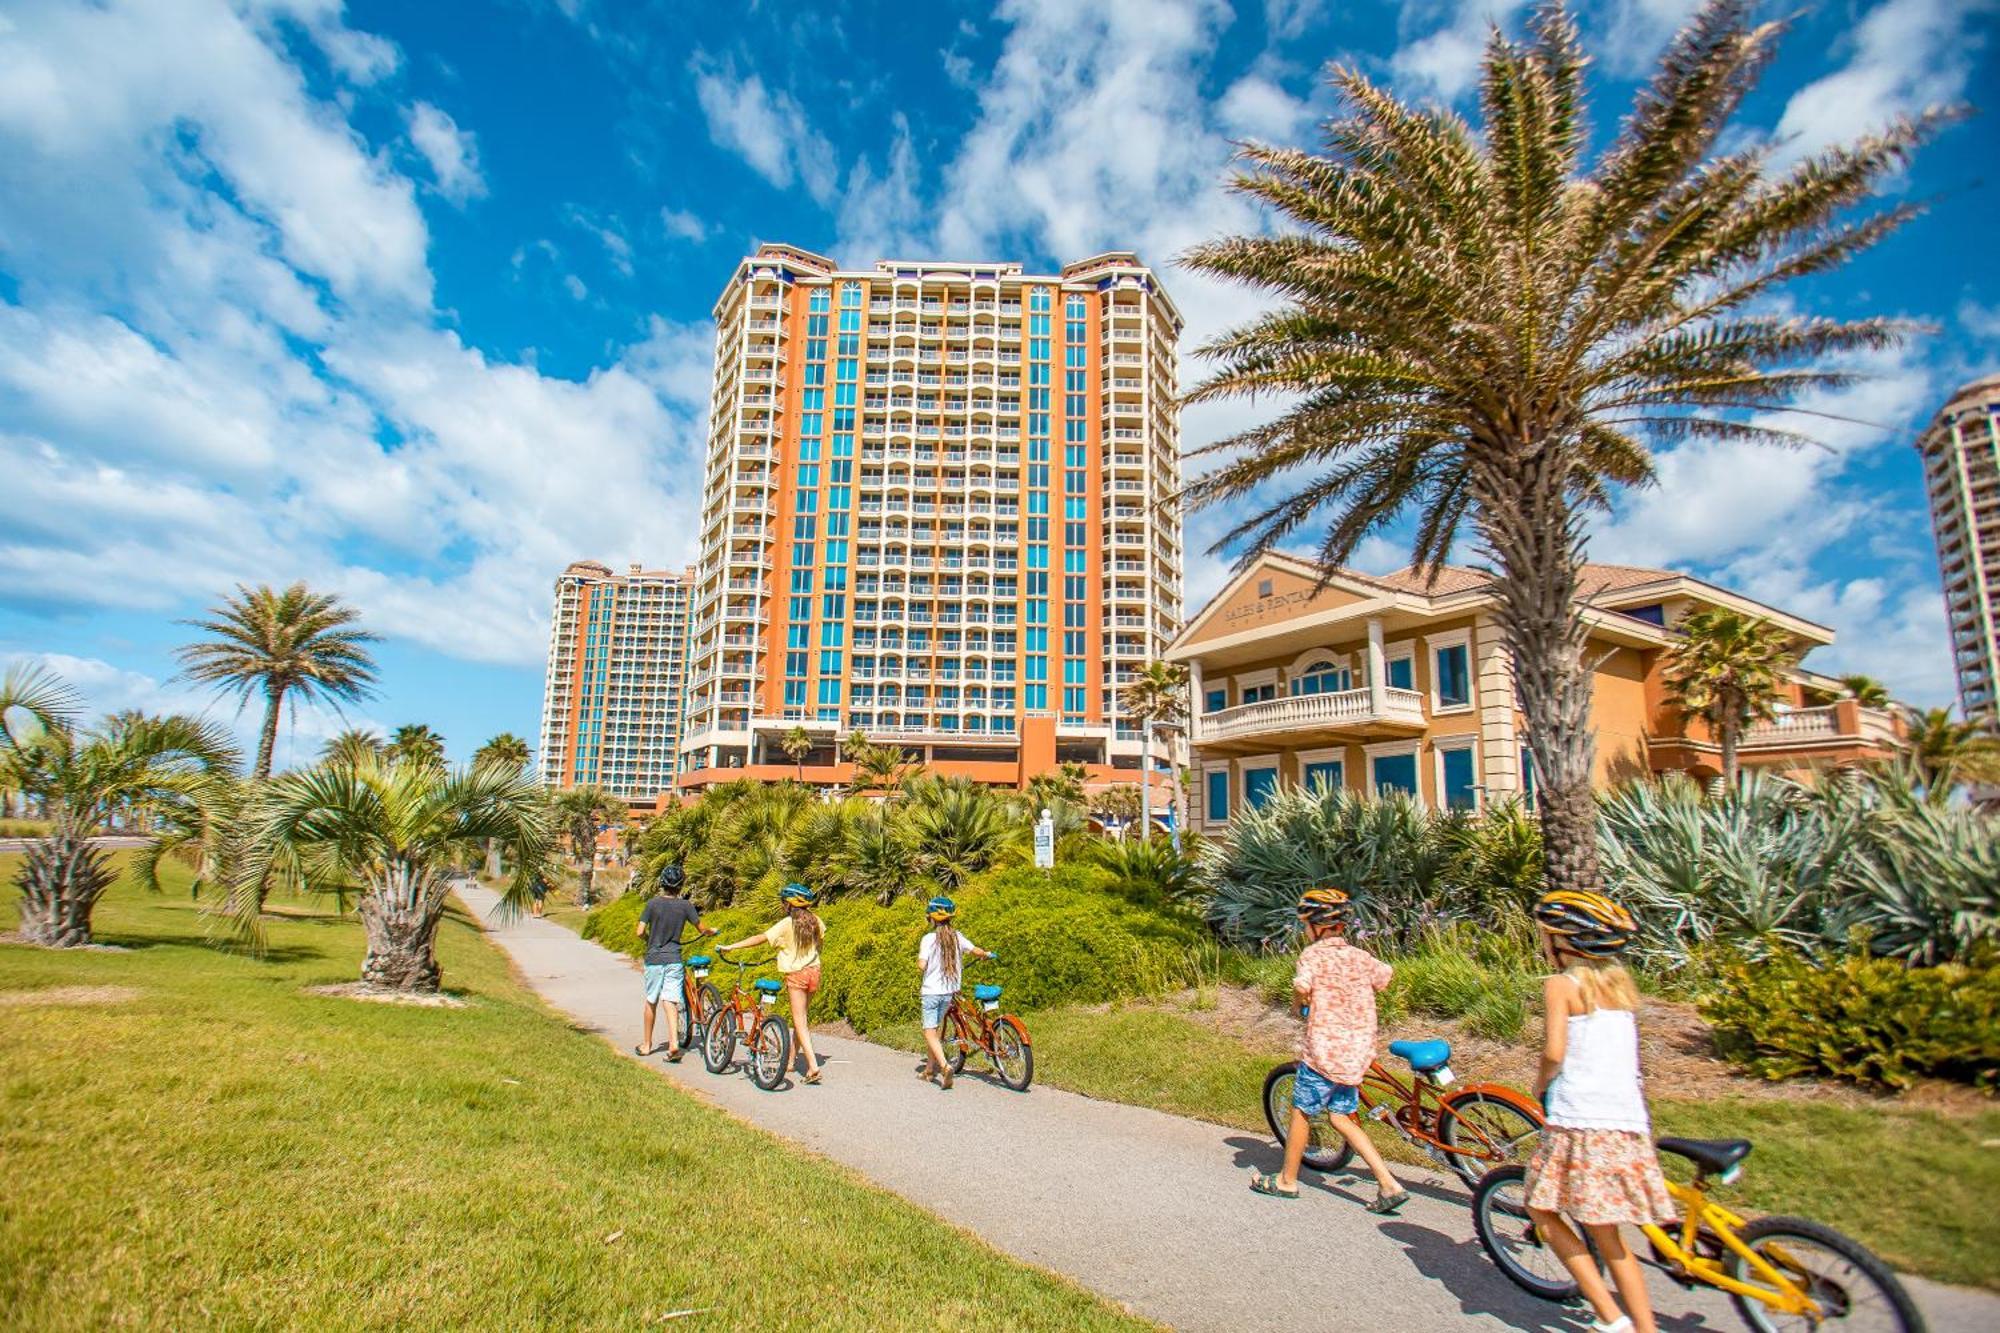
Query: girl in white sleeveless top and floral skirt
[{"x": 1597, "y": 1162}]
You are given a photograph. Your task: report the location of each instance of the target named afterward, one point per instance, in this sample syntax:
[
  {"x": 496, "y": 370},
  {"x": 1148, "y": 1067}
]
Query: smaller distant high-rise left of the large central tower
[{"x": 611, "y": 704}]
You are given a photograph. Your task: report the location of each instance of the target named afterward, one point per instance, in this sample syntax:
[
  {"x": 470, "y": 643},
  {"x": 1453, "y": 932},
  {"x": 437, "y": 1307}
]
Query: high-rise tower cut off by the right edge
[{"x": 1963, "y": 475}]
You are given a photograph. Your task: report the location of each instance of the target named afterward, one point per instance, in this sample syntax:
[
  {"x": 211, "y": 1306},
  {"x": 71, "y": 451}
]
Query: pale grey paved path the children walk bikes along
[{"x": 1143, "y": 1208}]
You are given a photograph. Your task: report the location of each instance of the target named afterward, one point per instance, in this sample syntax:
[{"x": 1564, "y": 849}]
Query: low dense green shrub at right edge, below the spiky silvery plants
[{"x": 1865, "y": 1020}]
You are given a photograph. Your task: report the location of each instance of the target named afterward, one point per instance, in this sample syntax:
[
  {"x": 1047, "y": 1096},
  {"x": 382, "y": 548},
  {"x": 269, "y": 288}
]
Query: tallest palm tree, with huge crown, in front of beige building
[{"x": 1479, "y": 327}]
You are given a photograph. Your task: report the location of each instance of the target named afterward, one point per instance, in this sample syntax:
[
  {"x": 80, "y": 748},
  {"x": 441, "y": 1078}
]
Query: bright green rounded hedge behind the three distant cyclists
[{"x": 1063, "y": 938}]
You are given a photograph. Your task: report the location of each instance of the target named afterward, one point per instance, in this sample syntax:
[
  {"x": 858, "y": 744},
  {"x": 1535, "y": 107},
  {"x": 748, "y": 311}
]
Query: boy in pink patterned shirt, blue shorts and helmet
[{"x": 1335, "y": 986}]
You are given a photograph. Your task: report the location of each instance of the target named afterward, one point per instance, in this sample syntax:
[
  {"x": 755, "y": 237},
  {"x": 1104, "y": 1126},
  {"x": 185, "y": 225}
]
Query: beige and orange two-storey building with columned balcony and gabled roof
[{"x": 1401, "y": 684}]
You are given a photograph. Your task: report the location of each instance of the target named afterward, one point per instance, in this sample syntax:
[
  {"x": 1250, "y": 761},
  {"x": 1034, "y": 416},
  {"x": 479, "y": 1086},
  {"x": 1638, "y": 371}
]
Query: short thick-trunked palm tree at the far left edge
[{"x": 83, "y": 780}]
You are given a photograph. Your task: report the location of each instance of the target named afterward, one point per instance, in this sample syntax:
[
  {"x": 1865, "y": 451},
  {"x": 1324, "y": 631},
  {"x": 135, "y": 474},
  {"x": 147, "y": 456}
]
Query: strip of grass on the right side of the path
[{"x": 1915, "y": 1186}]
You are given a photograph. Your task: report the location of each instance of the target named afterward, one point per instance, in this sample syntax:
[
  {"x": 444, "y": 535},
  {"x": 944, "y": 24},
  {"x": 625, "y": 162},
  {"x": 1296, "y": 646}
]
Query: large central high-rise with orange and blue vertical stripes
[{"x": 939, "y": 509}]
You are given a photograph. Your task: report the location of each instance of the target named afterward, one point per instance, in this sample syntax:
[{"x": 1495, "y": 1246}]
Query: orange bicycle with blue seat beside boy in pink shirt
[{"x": 1475, "y": 1130}]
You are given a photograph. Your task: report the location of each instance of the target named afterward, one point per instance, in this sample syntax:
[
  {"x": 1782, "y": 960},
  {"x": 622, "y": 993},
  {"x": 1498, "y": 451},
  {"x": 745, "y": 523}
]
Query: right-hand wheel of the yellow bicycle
[{"x": 1839, "y": 1276}]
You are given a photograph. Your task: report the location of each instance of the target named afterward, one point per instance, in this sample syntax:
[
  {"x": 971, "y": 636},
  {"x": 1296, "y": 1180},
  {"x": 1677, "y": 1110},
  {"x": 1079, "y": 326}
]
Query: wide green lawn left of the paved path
[{"x": 223, "y": 1150}]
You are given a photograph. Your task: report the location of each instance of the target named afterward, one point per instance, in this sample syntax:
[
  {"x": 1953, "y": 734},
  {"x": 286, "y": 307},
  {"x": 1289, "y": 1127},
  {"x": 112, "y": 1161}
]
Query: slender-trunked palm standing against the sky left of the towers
[{"x": 281, "y": 643}]
